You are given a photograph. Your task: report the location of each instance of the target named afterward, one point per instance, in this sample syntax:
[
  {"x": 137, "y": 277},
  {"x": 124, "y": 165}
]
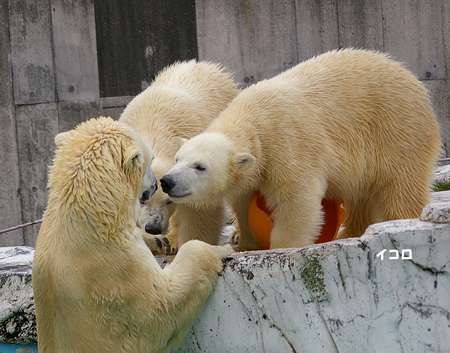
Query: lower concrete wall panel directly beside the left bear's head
[{"x": 37, "y": 126}]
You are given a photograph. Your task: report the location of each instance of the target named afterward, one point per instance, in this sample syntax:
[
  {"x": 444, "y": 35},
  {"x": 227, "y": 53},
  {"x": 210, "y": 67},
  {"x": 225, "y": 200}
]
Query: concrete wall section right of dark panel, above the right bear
[{"x": 258, "y": 39}]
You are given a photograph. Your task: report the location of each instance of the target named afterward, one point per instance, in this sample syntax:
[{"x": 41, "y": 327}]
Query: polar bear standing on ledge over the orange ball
[{"x": 348, "y": 124}]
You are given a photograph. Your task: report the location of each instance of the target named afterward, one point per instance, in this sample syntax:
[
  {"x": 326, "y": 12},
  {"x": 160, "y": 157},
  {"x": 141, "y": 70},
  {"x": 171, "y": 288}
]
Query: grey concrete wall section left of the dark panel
[{"x": 48, "y": 84}]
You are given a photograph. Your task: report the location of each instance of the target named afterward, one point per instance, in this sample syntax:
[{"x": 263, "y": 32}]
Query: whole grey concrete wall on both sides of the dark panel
[{"x": 49, "y": 73}]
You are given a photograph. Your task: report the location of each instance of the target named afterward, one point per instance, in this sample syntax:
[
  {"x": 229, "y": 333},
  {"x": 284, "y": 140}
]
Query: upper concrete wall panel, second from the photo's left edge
[{"x": 32, "y": 54}]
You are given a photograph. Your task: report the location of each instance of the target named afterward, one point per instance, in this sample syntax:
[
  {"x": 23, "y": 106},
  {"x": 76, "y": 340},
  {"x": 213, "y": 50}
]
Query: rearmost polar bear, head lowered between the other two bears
[{"x": 180, "y": 103}]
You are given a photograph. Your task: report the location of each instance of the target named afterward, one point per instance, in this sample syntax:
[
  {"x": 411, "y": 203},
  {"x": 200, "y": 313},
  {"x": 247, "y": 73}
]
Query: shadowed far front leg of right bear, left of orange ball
[{"x": 246, "y": 241}]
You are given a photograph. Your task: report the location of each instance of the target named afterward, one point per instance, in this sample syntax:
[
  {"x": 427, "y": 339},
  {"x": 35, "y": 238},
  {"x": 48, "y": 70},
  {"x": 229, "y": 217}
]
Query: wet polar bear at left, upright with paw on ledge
[{"x": 97, "y": 286}]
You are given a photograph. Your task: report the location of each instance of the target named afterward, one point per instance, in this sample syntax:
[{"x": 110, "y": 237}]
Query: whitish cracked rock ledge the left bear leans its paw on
[{"x": 388, "y": 291}]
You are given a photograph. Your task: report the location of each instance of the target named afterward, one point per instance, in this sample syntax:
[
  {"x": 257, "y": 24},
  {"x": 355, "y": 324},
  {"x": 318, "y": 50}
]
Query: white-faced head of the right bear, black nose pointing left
[{"x": 208, "y": 169}]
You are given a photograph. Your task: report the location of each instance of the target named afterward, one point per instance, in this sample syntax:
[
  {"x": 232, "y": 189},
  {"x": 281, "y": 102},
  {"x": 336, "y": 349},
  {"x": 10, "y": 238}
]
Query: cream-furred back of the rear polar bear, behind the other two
[{"x": 183, "y": 99}]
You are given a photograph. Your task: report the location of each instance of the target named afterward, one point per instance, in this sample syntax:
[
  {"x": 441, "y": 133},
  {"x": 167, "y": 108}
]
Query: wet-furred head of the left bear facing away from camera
[{"x": 100, "y": 171}]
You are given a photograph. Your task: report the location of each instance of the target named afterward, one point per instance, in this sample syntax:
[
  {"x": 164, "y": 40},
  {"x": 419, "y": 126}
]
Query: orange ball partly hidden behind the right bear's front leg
[{"x": 261, "y": 224}]
